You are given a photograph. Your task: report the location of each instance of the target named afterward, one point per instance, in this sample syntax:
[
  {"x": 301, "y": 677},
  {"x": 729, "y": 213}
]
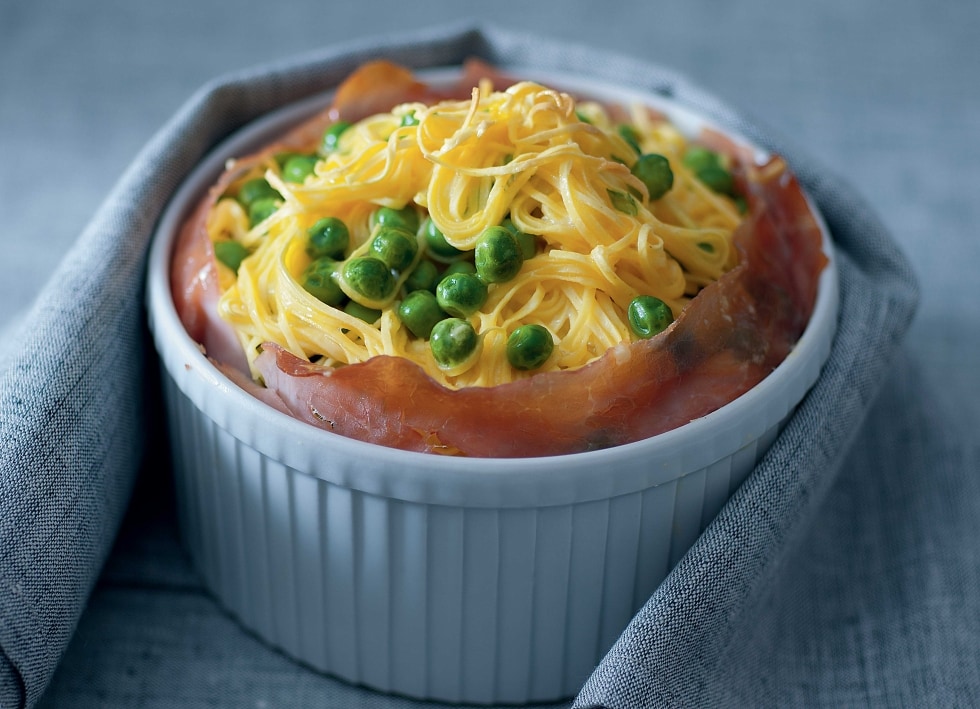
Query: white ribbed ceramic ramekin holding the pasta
[{"x": 463, "y": 580}]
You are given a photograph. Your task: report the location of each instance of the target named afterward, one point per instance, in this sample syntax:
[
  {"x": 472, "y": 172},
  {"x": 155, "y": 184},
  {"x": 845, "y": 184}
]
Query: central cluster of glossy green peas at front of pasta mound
[{"x": 440, "y": 292}]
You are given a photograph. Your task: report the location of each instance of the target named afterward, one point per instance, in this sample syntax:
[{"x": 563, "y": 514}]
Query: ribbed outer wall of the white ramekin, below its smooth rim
[{"x": 462, "y": 604}]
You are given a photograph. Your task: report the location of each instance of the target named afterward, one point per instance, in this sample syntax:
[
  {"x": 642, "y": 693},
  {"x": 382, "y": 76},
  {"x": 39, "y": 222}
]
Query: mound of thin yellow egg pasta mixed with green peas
[{"x": 557, "y": 174}]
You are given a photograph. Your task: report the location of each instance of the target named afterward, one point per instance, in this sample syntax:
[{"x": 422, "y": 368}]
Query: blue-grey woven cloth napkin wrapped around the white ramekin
[{"x": 73, "y": 427}]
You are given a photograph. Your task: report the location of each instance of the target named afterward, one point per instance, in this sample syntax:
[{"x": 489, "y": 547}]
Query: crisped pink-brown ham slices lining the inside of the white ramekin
[{"x": 731, "y": 336}]
